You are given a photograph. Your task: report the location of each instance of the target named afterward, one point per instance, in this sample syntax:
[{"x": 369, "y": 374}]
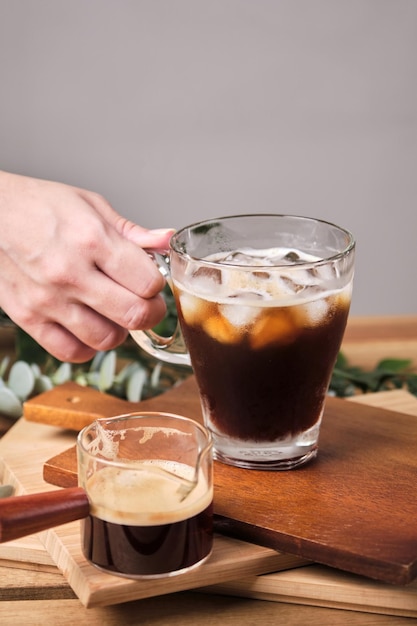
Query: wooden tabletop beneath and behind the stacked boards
[{"x": 43, "y": 597}]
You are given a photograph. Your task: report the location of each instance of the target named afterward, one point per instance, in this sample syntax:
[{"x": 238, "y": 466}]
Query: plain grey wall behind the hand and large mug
[{"x": 179, "y": 110}]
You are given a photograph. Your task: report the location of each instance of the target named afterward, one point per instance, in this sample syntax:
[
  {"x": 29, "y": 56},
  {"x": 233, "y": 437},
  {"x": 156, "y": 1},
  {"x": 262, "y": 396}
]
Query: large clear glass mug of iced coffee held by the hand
[{"x": 262, "y": 302}]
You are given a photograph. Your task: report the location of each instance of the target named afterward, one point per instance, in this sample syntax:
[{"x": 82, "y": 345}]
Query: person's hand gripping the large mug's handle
[{"x": 75, "y": 275}]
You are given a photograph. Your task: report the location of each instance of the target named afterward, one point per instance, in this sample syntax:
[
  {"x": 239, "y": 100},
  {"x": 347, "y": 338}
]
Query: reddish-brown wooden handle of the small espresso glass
[{"x": 25, "y": 515}]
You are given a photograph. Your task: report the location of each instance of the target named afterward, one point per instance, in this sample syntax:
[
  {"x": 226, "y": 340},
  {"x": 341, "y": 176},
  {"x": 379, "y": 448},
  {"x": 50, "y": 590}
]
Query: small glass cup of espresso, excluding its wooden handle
[{"x": 149, "y": 482}]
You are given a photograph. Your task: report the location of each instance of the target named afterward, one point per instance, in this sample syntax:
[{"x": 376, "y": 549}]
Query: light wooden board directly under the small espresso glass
[{"x": 24, "y": 449}]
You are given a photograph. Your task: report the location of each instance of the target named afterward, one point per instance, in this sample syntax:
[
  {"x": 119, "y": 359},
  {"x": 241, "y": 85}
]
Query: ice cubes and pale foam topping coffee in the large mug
[{"x": 267, "y": 279}]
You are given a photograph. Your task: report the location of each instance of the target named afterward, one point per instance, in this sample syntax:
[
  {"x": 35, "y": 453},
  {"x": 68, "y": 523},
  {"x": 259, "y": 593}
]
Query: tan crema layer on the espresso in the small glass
[{"x": 146, "y": 494}]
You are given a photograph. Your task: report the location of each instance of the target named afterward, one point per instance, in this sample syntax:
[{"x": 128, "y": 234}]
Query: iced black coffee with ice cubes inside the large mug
[{"x": 263, "y": 342}]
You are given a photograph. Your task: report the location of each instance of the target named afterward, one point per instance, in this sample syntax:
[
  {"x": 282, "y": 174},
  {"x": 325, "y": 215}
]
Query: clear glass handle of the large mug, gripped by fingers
[{"x": 169, "y": 349}]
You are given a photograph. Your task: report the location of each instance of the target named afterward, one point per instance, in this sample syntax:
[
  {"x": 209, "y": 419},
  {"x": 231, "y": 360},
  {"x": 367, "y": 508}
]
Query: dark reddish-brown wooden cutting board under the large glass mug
[{"x": 353, "y": 508}]
